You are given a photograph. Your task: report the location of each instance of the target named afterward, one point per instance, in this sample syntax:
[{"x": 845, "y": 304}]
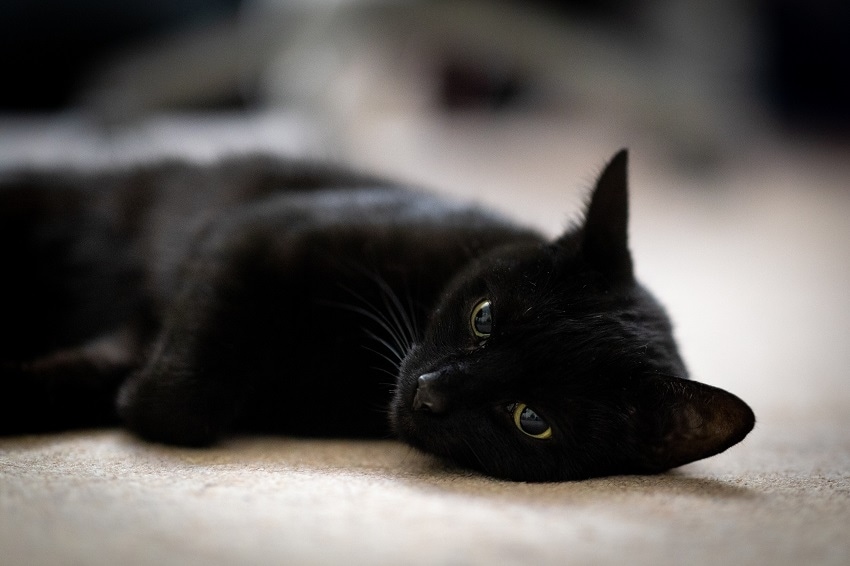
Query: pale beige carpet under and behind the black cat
[{"x": 750, "y": 255}]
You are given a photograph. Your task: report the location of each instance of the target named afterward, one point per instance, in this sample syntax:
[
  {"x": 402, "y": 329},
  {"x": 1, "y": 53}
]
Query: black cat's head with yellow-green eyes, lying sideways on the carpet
[{"x": 550, "y": 362}]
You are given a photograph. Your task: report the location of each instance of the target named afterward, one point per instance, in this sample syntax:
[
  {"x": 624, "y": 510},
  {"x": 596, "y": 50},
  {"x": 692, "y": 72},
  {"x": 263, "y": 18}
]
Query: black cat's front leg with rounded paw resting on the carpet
[{"x": 202, "y": 369}]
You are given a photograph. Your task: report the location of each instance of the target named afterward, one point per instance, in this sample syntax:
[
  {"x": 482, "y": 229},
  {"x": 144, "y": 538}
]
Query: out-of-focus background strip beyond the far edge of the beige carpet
[{"x": 702, "y": 79}]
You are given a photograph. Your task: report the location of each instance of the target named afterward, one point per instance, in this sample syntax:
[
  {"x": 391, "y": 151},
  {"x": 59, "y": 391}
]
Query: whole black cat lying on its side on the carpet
[{"x": 255, "y": 294}]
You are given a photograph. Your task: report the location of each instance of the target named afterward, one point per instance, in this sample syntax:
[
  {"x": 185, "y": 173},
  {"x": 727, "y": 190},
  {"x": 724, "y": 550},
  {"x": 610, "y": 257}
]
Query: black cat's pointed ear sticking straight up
[{"x": 604, "y": 236}]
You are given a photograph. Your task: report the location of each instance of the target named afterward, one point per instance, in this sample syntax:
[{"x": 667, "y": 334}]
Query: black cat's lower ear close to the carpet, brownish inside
[{"x": 681, "y": 421}]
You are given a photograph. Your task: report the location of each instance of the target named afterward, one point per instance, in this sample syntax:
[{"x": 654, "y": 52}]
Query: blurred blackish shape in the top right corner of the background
[{"x": 807, "y": 62}]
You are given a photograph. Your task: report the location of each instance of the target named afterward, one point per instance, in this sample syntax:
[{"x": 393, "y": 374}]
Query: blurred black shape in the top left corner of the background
[{"x": 48, "y": 46}]
